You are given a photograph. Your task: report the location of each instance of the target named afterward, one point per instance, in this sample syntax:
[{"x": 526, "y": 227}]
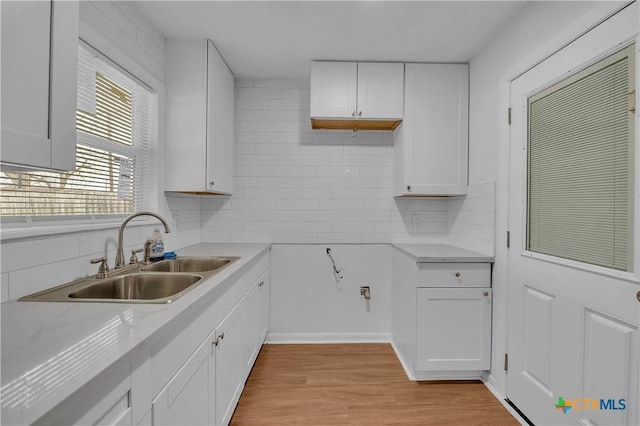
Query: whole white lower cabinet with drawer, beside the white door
[{"x": 441, "y": 318}]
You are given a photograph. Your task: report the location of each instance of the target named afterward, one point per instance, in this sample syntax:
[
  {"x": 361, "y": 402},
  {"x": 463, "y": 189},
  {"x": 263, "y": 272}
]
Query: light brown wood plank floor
[{"x": 356, "y": 384}]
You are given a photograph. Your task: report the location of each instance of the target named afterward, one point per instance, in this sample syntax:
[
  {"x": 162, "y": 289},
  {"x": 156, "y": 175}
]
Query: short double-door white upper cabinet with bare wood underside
[{"x": 351, "y": 95}]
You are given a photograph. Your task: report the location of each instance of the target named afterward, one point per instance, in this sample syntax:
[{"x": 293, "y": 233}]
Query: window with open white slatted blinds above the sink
[{"x": 115, "y": 127}]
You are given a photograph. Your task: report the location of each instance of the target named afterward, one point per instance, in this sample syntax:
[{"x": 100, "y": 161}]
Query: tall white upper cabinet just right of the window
[{"x": 200, "y": 104}]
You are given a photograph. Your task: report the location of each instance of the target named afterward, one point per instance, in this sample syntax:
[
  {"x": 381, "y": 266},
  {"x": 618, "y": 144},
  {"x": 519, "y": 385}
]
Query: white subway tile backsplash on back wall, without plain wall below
[{"x": 293, "y": 185}]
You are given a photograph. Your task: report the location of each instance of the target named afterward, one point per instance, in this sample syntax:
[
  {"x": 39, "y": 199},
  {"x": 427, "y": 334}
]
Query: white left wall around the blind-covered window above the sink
[{"x": 56, "y": 256}]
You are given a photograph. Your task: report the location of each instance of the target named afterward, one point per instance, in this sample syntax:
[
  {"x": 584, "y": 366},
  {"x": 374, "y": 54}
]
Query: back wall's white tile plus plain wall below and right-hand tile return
[{"x": 294, "y": 185}]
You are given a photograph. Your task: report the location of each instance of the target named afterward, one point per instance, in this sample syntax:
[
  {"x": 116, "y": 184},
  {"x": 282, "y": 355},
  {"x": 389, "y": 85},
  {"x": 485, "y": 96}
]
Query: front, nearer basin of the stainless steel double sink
[{"x": 140, "y": 286}]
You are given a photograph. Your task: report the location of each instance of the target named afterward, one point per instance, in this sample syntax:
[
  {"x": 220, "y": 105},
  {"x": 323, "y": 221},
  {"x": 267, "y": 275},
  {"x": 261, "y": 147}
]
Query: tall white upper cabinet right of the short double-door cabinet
[{"x": 431, "y": 145}]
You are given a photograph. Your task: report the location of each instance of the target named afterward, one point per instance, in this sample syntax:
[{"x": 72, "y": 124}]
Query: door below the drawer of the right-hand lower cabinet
[{"x": 453, "y": 329}]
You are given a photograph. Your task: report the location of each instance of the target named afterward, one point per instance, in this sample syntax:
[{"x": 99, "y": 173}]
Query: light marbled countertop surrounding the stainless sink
[{"x": 51, "y": 349}]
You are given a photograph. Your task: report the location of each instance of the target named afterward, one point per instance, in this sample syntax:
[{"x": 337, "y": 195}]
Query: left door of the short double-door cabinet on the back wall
[{"x": 333, "y": 89}]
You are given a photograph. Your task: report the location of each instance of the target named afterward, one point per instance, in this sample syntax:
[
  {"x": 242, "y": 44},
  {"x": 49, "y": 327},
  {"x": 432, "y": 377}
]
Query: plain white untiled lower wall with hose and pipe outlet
[{"x": 310, "y": 304}]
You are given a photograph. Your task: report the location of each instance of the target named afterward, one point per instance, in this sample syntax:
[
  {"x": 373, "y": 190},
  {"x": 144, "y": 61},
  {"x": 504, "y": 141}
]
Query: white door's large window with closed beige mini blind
[{"x": 580, "y": 165}]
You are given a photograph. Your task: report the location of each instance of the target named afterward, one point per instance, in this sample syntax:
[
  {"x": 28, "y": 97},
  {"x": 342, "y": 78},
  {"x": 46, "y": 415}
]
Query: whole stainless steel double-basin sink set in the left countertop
[{"x": 159, "y": 282}]
